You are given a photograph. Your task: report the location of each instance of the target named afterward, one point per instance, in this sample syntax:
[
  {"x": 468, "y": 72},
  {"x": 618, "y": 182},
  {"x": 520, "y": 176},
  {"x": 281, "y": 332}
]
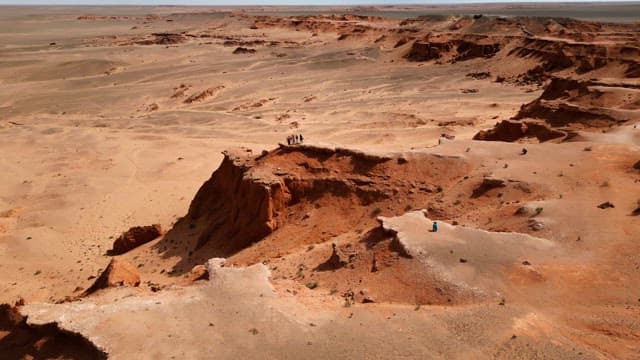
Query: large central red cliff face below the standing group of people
[{"x": 270, "y": 205}]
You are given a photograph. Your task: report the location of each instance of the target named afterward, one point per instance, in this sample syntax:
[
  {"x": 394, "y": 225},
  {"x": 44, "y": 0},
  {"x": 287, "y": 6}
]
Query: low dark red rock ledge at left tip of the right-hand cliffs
[{"x": 511, "y": 131}]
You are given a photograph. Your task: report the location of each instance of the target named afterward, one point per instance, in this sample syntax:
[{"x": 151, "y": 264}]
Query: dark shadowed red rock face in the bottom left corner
[{"x": 19, "y": 340}]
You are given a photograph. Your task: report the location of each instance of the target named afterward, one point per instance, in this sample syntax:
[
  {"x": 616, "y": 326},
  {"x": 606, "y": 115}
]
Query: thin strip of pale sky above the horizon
[{"x": 261, "y": 2}]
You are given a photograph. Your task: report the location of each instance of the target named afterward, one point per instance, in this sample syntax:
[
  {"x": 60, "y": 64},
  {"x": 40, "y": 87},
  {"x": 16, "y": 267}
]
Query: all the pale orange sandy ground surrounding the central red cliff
[{"x": 99, "y": 133}]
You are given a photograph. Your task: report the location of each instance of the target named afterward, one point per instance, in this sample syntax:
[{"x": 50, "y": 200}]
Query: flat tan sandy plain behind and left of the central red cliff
[{"x": 87, "y": 160}]
